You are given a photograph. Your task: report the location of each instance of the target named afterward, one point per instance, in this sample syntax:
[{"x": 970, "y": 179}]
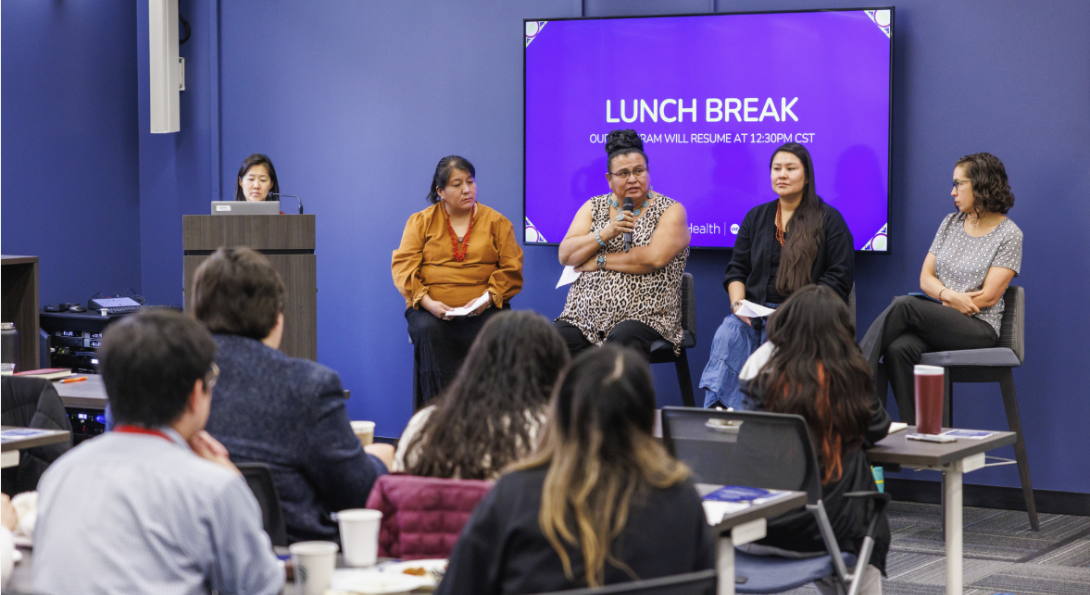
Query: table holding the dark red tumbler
[{"x": 954, "y": 460}]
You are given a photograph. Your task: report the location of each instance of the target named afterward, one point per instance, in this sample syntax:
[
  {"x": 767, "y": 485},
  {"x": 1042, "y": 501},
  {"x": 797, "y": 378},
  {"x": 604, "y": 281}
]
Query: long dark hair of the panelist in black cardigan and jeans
[{"x": 807, "y": 229}]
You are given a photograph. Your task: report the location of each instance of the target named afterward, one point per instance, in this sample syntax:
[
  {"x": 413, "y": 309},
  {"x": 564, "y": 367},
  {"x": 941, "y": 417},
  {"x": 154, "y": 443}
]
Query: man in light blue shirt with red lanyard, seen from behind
[{"x": 155, "y": 506}]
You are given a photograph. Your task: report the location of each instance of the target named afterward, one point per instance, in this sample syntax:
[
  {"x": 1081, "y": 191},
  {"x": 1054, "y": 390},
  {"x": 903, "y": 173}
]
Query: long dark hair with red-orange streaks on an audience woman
[{"x": 818, "y": 372}]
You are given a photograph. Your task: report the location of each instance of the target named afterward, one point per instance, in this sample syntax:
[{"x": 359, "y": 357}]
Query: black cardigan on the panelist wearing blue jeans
[{"x": 753, "y": 260}]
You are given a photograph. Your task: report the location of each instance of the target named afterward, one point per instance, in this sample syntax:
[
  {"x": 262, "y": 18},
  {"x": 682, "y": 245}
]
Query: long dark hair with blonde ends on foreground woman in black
[{"x": 601, "y": 455}]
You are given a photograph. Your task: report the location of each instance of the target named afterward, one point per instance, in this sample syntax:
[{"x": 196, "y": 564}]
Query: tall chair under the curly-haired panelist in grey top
[{"x": 995, "y": 366}]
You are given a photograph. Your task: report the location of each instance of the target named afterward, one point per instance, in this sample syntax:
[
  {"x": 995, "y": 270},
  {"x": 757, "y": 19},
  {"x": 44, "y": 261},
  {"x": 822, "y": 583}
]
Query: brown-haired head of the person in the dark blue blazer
[{"x": 237, "y": 292}]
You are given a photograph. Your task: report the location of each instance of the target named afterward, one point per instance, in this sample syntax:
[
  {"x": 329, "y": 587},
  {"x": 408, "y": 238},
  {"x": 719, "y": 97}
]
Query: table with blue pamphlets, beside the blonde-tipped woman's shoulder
[{"x": 745, "y": 527}]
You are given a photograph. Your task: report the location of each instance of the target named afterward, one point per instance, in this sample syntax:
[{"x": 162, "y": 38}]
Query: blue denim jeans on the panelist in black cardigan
[{"x": 734, "y": 343}]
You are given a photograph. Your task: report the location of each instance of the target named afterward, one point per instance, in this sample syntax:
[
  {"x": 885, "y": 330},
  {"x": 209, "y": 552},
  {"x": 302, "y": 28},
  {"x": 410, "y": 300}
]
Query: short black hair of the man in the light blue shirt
[{"x": 151, "y": 363}]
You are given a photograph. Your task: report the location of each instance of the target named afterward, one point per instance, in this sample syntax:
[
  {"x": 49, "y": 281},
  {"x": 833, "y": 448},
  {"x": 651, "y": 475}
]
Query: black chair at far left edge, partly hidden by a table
[{"x": 33, "y": 403}]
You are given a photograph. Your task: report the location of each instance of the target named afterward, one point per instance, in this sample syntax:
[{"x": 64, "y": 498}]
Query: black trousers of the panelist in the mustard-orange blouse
[{"x": 440, "y": 348}]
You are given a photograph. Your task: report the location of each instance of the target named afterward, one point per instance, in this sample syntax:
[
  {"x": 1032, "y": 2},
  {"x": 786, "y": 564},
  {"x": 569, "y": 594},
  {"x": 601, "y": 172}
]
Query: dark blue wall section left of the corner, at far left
[{"x": 69, "y": 149}]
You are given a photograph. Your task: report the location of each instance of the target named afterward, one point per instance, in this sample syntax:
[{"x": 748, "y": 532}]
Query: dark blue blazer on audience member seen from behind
[{"x": 289, "y": 414}]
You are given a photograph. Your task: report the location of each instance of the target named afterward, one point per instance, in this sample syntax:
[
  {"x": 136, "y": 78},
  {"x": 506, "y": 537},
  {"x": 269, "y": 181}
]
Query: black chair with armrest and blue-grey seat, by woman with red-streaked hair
[{"x": 772, "y": 452}]
